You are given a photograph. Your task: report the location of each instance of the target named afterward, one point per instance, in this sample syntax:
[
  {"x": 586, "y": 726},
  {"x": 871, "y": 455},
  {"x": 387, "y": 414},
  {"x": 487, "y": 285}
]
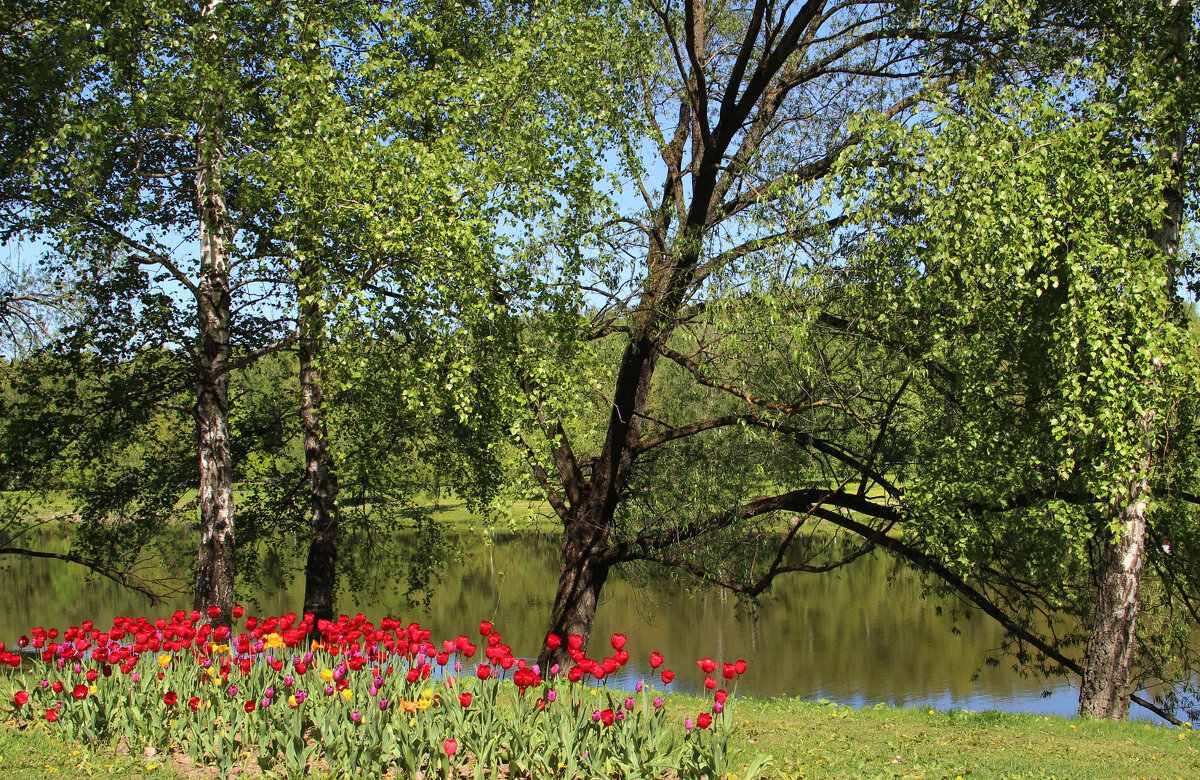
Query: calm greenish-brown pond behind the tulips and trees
[{"x": 860, "y": 637}]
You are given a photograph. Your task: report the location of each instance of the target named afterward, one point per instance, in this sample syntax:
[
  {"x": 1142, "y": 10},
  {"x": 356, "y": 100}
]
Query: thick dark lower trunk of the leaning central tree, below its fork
[{"x": 581, "y": 577}]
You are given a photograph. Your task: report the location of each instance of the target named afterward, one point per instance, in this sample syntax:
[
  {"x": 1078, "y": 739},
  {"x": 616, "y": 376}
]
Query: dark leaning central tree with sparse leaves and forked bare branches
[{"x": 747, "y": 111}]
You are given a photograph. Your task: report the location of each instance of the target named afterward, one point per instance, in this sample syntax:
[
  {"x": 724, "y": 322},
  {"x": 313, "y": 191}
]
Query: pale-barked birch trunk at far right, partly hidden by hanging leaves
[{"x": 1108, "y": 667}]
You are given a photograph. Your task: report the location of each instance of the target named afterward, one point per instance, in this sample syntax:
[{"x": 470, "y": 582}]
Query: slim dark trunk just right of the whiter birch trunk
[{"x": 321, "y": 572}]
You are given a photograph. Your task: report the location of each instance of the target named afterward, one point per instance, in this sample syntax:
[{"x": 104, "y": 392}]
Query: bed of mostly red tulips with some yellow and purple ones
[{"x": 365, "y": 701}]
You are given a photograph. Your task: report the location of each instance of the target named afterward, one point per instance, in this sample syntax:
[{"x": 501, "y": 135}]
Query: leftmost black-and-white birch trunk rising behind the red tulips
[{"x": 215, "y": 567}]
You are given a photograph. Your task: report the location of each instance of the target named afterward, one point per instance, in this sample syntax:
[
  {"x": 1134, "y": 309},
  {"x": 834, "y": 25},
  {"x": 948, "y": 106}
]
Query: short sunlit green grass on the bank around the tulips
[{"x": 807, "y": 740}]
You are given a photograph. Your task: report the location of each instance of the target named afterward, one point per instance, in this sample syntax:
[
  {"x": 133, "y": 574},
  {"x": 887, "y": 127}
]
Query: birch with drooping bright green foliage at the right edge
[{"x": 1027, "y": 277}]
